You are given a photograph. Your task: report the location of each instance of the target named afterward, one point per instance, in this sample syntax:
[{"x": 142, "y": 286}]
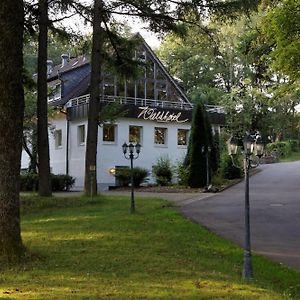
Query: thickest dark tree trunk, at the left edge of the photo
[{"x": 11, "y": 126}]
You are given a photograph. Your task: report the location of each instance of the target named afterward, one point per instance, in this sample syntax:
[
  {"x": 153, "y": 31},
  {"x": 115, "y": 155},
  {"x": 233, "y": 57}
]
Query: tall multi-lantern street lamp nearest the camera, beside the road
[{"x": 252, "y": 144}]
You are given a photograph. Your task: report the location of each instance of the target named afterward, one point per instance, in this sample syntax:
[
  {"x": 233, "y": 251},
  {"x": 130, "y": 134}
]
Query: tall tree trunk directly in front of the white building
[{"x": 90, "y": 185}]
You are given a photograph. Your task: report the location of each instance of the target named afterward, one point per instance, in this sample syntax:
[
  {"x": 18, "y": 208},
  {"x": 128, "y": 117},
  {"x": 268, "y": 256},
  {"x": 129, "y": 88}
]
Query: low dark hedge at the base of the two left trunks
[{"x": 60, "y": 182}]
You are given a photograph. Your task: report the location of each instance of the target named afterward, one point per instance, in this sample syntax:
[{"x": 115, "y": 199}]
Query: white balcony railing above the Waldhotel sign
[{"x": 142, "y": 102}]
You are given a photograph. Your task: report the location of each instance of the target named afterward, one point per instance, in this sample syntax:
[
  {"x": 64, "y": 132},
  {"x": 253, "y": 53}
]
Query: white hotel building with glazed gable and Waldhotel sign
[{"x": 157, "y": 114}]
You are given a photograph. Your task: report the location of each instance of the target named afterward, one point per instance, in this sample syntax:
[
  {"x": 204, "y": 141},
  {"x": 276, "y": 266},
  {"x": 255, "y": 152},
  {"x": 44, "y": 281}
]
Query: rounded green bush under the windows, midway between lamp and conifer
[{"x": 162, "y": 171}]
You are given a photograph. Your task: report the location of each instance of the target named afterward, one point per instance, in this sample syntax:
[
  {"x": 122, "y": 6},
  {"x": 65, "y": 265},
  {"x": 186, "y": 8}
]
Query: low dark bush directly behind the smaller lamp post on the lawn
[{"x": 124, "y": 176}]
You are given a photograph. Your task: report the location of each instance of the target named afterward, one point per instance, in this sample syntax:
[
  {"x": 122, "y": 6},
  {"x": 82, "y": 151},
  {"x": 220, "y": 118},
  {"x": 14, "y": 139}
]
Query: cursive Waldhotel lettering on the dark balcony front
[{"x": 153, "y": 114}]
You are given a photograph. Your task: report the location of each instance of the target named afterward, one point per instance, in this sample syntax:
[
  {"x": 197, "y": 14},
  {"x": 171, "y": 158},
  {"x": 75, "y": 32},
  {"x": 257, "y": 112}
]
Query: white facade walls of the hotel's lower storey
[{"x": 110, "y": 154}]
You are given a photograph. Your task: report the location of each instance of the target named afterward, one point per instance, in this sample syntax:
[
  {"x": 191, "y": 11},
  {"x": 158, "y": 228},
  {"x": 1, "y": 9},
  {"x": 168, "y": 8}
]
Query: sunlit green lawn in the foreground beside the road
[{"x": 95, "y": 249}]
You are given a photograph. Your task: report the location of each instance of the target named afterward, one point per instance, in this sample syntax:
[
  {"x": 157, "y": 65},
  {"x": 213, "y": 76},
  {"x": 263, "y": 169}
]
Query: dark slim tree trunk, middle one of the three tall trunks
[{"x": 42, "y": 104}]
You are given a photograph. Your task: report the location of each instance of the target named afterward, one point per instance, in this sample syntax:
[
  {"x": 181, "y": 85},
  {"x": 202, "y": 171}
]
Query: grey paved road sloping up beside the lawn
[{"x": 275, "y": 213}]
